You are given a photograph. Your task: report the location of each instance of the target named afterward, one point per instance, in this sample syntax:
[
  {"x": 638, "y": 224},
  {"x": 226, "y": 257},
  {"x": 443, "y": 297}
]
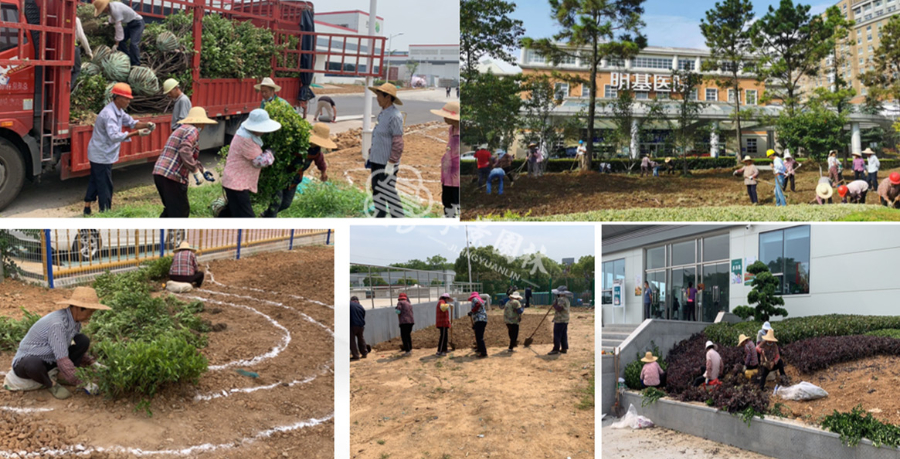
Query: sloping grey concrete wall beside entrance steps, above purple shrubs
[{"x": 664, "y": 333}]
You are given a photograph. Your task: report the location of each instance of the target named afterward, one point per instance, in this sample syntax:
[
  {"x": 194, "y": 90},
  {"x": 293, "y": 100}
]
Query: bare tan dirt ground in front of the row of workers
[{"x": 506, "y": 406}]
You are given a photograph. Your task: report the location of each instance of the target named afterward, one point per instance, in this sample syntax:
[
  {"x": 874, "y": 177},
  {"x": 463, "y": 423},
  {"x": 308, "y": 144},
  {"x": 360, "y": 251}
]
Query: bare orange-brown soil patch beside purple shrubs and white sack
[{"x": 871, "y": 382}]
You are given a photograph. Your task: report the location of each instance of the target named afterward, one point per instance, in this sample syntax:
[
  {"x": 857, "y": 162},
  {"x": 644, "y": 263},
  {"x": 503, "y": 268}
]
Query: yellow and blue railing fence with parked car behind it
[{"x": 63, "y": 257}]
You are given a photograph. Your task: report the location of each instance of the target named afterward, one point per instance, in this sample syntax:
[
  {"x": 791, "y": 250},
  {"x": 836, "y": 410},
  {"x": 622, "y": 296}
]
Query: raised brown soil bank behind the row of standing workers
[{"x": 495, "y": 335}]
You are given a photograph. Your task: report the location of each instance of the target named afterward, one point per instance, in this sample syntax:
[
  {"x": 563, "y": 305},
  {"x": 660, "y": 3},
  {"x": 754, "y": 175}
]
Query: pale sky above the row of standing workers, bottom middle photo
[{"x": 382, "y": 245}]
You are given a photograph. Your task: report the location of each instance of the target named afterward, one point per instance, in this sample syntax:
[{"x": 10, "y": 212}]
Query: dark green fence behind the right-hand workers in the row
[{"x": 582, "y": 290}]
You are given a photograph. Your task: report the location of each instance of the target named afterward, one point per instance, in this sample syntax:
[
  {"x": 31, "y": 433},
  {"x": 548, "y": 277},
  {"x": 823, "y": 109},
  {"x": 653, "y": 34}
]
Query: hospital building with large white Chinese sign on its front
[{"x": 650, "y": 76}]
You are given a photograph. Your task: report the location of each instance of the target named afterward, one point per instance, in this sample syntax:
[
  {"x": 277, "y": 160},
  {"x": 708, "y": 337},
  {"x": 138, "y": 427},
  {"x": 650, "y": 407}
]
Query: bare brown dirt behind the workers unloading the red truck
[{"x": 424, "y": 145}]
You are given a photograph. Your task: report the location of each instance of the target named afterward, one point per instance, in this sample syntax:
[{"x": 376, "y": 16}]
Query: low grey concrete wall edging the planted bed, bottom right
[{"x": 772, "y": 437}]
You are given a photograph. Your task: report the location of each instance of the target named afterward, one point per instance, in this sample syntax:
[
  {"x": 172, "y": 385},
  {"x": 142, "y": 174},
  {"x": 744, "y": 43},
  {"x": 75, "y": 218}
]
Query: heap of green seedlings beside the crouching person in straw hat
[{"x": 144, "y": 343}]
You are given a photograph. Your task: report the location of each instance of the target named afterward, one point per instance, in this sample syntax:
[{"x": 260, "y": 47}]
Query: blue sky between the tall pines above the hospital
[{"x": 669, "y": 22}]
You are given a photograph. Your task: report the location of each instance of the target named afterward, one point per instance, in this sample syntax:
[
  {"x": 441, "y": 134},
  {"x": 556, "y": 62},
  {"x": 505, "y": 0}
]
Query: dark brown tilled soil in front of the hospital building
[{"x": 565, "y": 193}]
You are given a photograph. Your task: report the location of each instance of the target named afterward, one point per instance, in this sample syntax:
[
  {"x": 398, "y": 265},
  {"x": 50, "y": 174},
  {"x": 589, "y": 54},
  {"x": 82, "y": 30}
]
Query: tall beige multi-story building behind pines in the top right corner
[{"x": 856, "y": 53}]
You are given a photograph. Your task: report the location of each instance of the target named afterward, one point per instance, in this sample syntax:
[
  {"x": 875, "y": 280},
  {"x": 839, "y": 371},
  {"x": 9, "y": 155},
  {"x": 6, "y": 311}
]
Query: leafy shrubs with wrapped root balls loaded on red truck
[{"x": 231, "y": 49}]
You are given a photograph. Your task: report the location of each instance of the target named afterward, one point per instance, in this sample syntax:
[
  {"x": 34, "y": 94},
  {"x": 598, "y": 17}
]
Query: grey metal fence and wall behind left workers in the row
[{"x": 378, "y": 286}]
